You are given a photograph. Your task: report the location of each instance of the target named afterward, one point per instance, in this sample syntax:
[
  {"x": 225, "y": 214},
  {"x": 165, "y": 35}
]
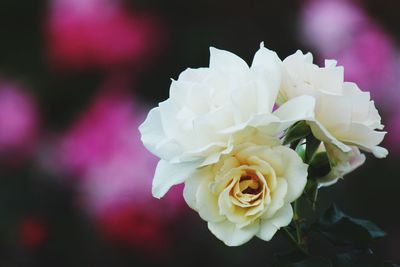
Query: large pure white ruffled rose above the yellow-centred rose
[{"x": 209, "y": 108}]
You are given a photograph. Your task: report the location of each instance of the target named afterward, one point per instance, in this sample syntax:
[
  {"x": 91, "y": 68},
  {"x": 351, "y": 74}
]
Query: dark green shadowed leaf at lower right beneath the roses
[{"x": 341, "y": 229}]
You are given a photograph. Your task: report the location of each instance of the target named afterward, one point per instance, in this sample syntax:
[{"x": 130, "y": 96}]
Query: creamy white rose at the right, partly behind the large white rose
[{"x": 345, "y": 116}]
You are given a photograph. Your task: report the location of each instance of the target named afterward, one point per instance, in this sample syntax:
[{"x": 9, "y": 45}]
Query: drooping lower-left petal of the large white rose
[{"x": 168, "y": 175}]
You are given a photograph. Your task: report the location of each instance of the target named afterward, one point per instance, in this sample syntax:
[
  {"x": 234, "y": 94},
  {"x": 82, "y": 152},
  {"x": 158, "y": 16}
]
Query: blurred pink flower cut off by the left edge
[{"x": 19, "y": 122}]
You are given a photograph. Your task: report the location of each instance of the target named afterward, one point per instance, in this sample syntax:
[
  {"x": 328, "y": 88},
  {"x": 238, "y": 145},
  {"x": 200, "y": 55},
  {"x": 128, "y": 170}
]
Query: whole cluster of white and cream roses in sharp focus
[{"x": 245, "y": 140}]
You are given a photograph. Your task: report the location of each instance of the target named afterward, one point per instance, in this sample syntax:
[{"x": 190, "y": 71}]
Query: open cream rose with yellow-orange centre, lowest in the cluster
[{"x": 247, "y": 192}]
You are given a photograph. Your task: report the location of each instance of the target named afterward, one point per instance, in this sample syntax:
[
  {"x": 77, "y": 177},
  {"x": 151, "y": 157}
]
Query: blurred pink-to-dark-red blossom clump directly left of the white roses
[{"x": 103, "y": 149}]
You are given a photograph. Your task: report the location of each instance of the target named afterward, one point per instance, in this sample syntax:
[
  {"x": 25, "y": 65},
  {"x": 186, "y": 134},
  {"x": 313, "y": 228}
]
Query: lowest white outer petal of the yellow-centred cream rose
[{"x": 232, "y": 235}]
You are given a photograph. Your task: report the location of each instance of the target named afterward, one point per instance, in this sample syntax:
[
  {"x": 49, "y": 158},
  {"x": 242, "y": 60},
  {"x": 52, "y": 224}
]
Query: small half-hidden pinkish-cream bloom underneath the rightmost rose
[{"x": 342, "y": 163}]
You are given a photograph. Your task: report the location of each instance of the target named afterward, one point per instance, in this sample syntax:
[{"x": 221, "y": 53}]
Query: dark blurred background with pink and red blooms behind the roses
[{"x": 77, "y": 77}]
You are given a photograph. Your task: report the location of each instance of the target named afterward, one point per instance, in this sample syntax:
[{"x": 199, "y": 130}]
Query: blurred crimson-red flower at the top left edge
[{"x": 99, "y": 34}]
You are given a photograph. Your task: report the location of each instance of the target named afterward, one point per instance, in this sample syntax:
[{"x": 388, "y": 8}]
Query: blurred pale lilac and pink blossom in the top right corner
[{"x": 341, "y": 29}]
